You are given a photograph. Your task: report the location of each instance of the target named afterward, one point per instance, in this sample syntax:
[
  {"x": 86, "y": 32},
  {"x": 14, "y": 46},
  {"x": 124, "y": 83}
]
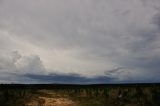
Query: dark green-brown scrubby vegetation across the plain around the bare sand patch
[{"x": 85, "y": 95}]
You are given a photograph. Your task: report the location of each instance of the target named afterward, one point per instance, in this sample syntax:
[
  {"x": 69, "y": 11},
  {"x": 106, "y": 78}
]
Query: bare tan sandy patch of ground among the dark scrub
[{"x": 51, "y": 100}]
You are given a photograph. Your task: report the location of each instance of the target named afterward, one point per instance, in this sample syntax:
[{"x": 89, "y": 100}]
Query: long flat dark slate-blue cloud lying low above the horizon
[{"x": 57, "y": 78}]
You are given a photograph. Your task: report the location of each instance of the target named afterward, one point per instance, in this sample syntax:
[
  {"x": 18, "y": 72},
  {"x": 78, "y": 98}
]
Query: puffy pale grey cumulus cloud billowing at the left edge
[{"x": 13, "y": 64}]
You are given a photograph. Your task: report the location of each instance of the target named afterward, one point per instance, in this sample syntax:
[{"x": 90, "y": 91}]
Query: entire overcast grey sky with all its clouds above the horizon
[{"x": 79, "y": 41}]
